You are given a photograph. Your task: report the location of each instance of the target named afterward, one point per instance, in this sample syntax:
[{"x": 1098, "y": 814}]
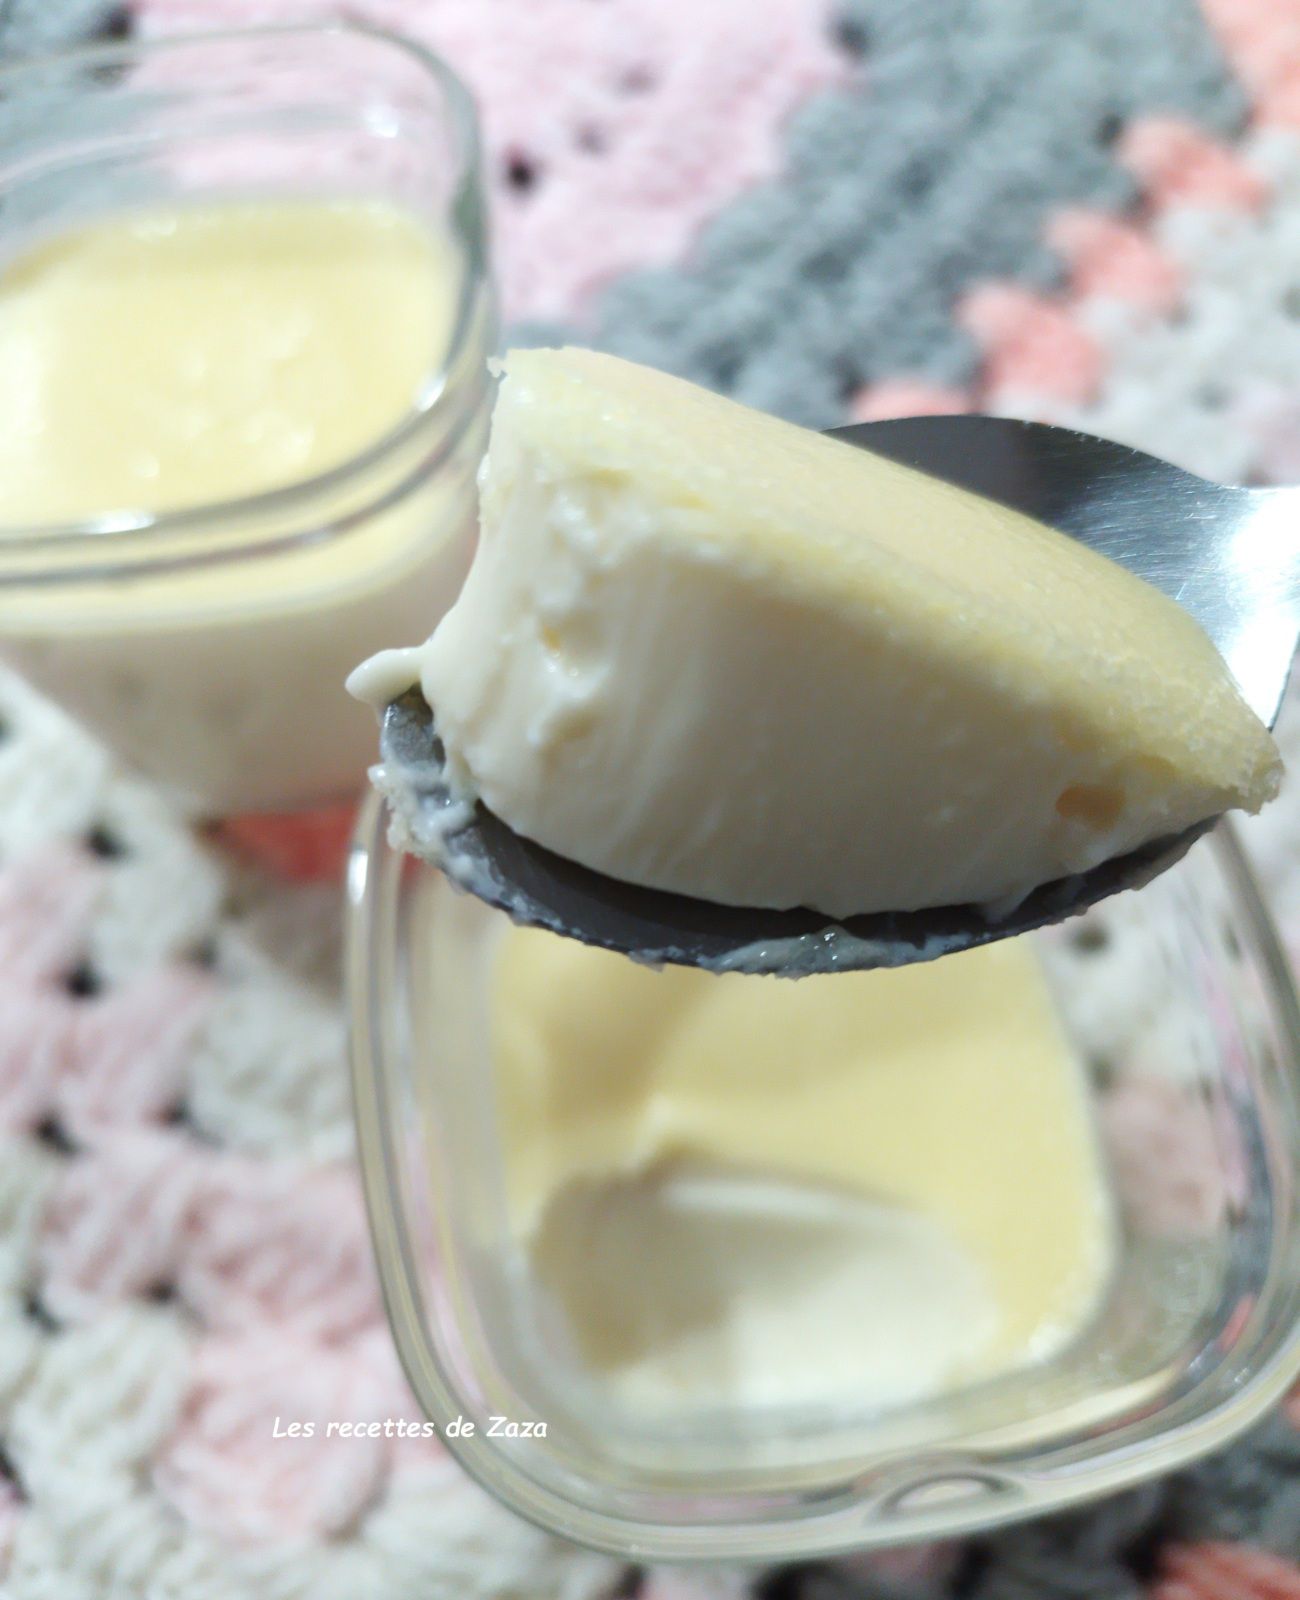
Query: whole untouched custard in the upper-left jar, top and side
[{"x": 185, "y": 358}]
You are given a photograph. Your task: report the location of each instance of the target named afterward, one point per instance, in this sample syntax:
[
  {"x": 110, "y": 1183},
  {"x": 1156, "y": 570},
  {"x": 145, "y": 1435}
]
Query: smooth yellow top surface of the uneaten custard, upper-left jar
[{"x": 196, "y": 354}]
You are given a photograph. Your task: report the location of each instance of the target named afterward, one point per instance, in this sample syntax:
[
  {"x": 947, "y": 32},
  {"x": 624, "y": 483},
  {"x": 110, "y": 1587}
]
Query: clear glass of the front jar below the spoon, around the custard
[{"x": 1179, "y": 1001}]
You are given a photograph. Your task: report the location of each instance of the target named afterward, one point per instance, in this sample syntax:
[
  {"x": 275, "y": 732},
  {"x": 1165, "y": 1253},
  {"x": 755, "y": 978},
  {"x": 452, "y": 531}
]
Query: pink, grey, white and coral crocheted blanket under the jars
[{"x": 1086, "y": 214}]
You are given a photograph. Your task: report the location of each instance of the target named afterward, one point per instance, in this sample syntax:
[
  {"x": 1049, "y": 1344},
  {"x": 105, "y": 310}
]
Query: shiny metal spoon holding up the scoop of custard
[{"x": 1230, "y": 556}]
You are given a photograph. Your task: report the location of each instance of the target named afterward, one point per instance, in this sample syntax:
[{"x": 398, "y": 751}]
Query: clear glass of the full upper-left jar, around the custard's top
[{"x": 209, "y": 646}]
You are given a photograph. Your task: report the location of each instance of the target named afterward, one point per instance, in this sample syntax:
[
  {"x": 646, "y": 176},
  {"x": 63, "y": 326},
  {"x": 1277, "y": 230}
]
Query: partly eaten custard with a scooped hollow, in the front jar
[{"x": 859, "y": 1190}]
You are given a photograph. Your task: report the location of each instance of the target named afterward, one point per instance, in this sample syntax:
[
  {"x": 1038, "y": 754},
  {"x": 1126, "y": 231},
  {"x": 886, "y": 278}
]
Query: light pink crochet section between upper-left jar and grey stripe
[{"x": 652, "y": 118}]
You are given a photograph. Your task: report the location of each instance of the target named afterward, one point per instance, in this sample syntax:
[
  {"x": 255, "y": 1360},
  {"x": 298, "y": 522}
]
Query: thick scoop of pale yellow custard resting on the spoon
[{"x": 705, "y": 650}]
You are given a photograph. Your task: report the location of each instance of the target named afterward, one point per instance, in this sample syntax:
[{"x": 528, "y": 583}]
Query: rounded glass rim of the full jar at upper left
[{"x": 97, "y": 537}]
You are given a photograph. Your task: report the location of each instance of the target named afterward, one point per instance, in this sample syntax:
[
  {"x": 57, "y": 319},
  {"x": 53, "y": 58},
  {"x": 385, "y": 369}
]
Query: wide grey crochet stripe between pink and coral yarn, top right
[{"x": 973, "y": 121}]
